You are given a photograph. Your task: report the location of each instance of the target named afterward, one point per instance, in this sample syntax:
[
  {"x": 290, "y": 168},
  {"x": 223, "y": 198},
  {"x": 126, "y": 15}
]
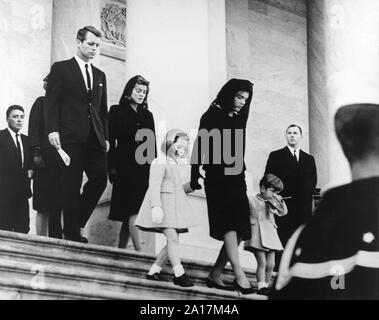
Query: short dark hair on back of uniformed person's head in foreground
[{"x": 357, "y": 129}]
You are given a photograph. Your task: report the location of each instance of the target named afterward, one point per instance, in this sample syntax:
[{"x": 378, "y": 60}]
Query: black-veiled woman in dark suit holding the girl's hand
[{"x": 225, "y": 186}]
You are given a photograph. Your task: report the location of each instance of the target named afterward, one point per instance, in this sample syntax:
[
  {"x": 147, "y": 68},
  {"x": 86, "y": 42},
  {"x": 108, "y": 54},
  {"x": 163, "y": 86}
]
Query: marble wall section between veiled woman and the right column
[{"x": 266, "y": 43}]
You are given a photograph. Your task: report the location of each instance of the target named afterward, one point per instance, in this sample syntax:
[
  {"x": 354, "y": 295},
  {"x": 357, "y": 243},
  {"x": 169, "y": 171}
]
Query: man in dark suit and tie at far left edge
[{"x": 14, "y": 181}]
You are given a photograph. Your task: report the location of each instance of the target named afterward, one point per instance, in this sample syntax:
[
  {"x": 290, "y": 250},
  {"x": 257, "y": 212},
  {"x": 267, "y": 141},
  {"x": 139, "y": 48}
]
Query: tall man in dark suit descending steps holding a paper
[{"x": 76, "y": 120}]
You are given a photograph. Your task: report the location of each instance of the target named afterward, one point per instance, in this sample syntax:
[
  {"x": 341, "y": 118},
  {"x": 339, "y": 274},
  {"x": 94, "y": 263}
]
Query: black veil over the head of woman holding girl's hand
[{"x": 225, "y": 98}]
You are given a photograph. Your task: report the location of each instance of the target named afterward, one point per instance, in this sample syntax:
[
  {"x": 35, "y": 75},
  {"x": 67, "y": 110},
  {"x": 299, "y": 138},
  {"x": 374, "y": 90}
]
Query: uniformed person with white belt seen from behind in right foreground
[{"x": 336, "y": 255}]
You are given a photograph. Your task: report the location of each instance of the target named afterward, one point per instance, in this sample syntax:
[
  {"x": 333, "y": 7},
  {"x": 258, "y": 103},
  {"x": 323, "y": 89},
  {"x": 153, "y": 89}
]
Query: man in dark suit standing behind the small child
[{"x": 297, "y": 170}]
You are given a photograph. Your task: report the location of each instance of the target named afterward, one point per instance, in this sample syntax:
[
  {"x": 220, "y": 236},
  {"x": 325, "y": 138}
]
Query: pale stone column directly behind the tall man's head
[{"x": 68, "y": 17}]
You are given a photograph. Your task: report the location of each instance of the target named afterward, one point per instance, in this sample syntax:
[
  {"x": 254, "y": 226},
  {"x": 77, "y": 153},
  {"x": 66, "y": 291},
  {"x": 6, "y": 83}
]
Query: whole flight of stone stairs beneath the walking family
[{"x": 33, "y": 267}]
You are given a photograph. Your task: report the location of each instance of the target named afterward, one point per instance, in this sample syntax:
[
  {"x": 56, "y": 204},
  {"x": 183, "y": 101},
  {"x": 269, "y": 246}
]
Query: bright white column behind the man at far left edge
[{"x": 25, "y": 33}]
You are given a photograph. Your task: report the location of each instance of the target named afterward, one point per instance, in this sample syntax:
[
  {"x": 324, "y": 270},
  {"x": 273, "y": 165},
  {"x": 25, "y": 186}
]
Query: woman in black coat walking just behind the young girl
[{"x": 128, "y": 169}]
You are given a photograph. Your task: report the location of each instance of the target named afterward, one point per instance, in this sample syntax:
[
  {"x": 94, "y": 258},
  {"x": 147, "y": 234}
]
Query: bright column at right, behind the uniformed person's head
[{"x": 343, "y": 68}]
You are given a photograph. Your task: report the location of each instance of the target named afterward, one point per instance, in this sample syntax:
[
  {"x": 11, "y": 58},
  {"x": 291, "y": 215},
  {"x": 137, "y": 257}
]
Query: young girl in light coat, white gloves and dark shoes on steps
[{"x": 166, "y": 208}]
